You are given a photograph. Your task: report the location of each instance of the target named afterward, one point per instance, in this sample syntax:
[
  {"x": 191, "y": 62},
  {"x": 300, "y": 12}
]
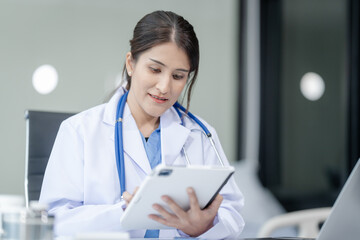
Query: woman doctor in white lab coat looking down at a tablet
[{"x": 81, "y": 183}]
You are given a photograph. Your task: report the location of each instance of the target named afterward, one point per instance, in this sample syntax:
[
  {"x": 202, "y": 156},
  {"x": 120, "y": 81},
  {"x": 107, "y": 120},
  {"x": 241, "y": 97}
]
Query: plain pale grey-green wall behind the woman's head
[{"x": 86, "y": 40}]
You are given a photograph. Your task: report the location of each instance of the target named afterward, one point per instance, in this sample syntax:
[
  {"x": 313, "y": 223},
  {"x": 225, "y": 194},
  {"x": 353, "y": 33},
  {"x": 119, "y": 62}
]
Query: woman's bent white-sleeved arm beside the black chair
[{"x": 63, "y": 189}]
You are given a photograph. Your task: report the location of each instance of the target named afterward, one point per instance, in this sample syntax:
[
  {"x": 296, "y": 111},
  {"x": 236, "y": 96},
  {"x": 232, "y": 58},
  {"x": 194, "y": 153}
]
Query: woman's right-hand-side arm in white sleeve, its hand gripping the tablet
[{"x": 222, "y": 219}]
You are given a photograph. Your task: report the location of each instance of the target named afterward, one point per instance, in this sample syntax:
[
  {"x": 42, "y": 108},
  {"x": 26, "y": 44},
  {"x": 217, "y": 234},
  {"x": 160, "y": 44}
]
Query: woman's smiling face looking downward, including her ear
[{"x": 157, "y": 79}]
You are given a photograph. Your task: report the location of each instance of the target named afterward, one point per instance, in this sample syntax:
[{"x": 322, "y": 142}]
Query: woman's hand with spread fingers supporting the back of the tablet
[{"x": 193, "y": 222}]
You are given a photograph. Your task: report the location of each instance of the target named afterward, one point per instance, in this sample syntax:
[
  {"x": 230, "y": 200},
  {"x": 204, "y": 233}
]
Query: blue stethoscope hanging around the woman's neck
[{"x": 119, "y": 145}]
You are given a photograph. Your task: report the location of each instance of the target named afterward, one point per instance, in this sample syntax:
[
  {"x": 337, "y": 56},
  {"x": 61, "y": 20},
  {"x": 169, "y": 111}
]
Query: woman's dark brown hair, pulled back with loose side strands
[{"x": 161, "y": 27}]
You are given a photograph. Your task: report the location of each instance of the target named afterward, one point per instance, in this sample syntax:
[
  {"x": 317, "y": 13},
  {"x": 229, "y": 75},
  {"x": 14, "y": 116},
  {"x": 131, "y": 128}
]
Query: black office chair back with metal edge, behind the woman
[{"x": 41, "y": 130}]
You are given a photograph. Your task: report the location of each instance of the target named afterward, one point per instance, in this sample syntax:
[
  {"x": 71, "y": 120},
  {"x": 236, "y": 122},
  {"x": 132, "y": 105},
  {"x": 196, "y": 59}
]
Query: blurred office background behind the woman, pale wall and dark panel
[{"x": 279, "y": 81}]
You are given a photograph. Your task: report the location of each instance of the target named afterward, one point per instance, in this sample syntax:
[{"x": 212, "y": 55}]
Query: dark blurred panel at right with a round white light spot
[{"x": 309, "y": 99}]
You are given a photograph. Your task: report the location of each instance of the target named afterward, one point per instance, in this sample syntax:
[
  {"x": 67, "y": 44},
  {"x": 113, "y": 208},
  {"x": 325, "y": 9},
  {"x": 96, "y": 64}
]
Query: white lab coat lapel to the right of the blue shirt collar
[{"x": 173, "y": 136}]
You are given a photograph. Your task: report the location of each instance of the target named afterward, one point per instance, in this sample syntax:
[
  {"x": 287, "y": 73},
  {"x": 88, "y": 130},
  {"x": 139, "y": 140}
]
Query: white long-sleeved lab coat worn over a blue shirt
[{"x": 81, "y": 183}]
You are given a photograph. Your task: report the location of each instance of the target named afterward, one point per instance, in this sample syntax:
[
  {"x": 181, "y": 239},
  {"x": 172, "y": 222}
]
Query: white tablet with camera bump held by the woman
[{"x": 173, "y": 181}]
